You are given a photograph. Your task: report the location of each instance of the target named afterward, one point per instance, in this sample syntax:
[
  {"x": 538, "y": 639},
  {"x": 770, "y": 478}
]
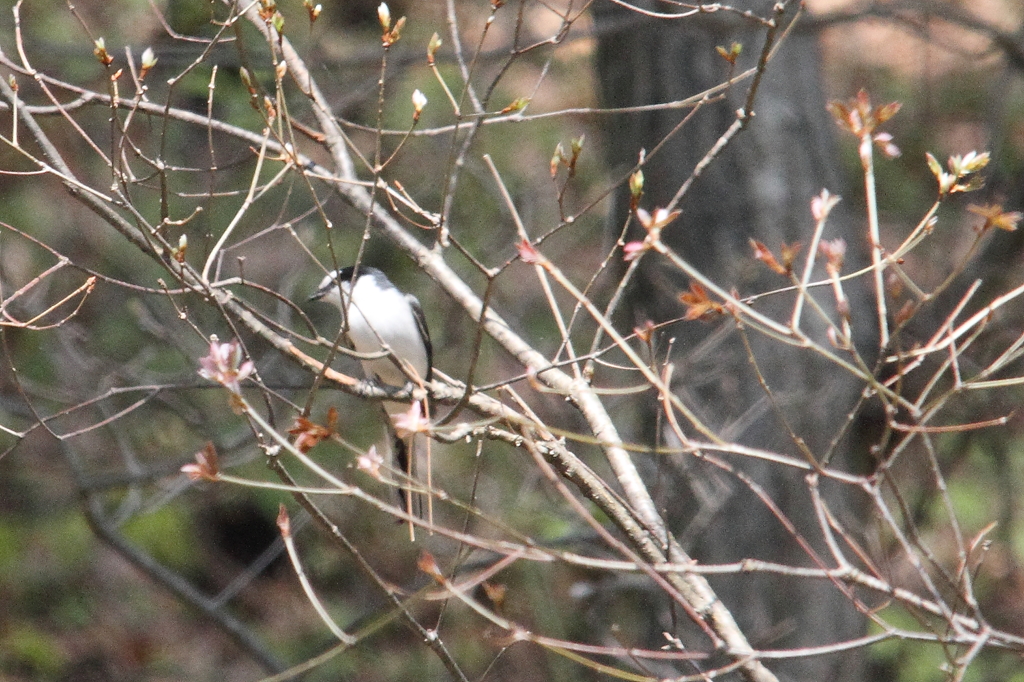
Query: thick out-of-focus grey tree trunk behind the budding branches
[{"x": 760, "y": 188}]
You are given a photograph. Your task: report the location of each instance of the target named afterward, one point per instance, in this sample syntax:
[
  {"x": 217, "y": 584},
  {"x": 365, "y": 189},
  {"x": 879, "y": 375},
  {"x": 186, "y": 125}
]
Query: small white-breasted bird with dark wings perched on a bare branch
[{"x": 380, "y": 317}]
